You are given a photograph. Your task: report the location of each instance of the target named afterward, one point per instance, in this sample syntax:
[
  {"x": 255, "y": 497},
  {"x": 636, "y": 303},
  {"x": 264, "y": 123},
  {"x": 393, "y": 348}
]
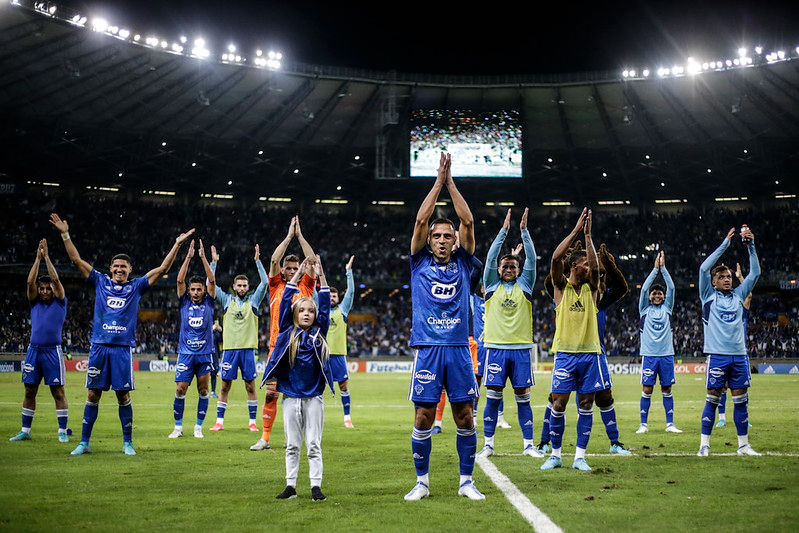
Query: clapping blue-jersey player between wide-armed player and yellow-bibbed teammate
[{"x": 196, "y": 341}]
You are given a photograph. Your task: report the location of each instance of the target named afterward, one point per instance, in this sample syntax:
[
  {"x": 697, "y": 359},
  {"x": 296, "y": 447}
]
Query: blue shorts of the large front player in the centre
[{"x": 438, "y": 367}]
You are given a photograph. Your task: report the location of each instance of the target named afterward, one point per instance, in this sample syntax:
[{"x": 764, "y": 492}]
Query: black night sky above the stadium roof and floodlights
[{"x": 449, "y": 38}]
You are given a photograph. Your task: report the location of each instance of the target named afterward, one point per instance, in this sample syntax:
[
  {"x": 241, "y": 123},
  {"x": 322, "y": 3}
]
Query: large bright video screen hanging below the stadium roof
[{"x": 482, "y": 144}]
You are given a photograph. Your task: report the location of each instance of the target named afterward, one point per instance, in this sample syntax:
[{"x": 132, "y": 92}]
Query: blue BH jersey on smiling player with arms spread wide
[{"x": 115, "y": 309}]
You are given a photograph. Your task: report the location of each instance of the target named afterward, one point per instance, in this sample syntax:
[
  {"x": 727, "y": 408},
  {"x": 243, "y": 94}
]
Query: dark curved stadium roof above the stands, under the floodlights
[{"x": 90, "y": 109}]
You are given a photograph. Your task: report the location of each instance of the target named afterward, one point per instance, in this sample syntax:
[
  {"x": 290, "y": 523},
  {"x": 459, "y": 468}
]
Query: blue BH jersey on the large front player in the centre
[{"x": 440, "y": 298}]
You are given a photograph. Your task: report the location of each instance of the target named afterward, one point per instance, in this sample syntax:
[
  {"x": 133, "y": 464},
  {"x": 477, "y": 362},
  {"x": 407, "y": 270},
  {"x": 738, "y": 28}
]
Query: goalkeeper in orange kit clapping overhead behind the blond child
[{"x": 278, "y": 277}]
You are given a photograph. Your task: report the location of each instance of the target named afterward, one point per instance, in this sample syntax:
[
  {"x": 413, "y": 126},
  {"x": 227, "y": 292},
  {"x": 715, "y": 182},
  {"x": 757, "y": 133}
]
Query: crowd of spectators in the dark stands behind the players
[{"x": 102, "y": 226}]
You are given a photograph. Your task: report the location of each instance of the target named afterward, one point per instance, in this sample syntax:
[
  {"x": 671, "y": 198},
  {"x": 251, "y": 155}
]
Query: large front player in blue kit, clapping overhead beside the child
[{"x": 440, "y": 288}]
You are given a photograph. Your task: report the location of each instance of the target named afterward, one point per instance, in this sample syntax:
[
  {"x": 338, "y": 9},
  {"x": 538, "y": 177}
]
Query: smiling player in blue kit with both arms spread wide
[{"x": 116, "y": 304}]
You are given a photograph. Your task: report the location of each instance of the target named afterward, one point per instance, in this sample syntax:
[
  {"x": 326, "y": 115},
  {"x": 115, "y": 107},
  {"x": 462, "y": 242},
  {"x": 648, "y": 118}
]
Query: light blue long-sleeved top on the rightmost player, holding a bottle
[{"x": 722, "y": 314}]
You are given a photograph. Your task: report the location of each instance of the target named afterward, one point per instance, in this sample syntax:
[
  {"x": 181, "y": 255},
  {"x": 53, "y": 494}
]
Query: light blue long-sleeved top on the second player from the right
[{"x": 655, "y": 330}]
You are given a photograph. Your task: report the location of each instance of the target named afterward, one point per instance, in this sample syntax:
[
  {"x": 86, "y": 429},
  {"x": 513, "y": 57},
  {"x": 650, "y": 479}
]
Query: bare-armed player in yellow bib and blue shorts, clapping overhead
[{"x": 576, "y": 342}]
